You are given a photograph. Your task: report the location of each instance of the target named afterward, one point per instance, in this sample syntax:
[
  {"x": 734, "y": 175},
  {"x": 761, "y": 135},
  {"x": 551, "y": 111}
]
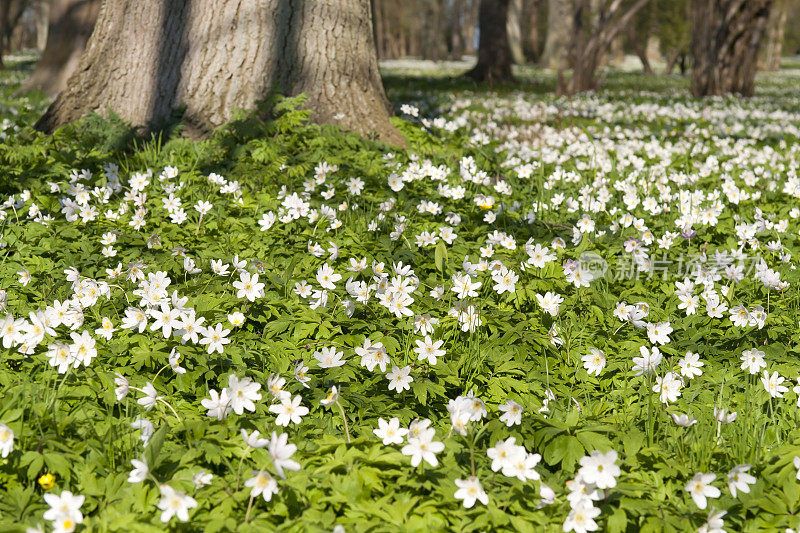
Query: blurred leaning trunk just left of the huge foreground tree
[{"x": 71, "y": 25}]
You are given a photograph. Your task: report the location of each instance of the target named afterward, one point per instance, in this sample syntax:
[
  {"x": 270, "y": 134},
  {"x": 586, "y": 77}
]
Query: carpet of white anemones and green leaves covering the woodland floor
[{"x": 547, "y": 314}]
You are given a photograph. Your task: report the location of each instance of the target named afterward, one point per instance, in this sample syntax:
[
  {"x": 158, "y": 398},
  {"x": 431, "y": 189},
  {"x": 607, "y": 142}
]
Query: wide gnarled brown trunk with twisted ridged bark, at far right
[{"x": 726, "y": 35}]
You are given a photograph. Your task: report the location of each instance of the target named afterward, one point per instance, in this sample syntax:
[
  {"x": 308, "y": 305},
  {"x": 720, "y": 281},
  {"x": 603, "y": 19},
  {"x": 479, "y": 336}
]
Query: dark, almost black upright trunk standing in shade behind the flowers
[{"x": 494, "y": 53}]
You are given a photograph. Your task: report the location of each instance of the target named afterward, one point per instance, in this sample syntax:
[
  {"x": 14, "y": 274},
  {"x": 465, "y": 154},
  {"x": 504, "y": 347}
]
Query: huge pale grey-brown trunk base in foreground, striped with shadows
[{"x": 211, "y": 57}]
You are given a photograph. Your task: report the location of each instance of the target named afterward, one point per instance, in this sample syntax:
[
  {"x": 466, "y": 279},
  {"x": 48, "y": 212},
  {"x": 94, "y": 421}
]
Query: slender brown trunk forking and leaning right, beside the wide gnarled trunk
[{"x": 589, "y": 47}]
